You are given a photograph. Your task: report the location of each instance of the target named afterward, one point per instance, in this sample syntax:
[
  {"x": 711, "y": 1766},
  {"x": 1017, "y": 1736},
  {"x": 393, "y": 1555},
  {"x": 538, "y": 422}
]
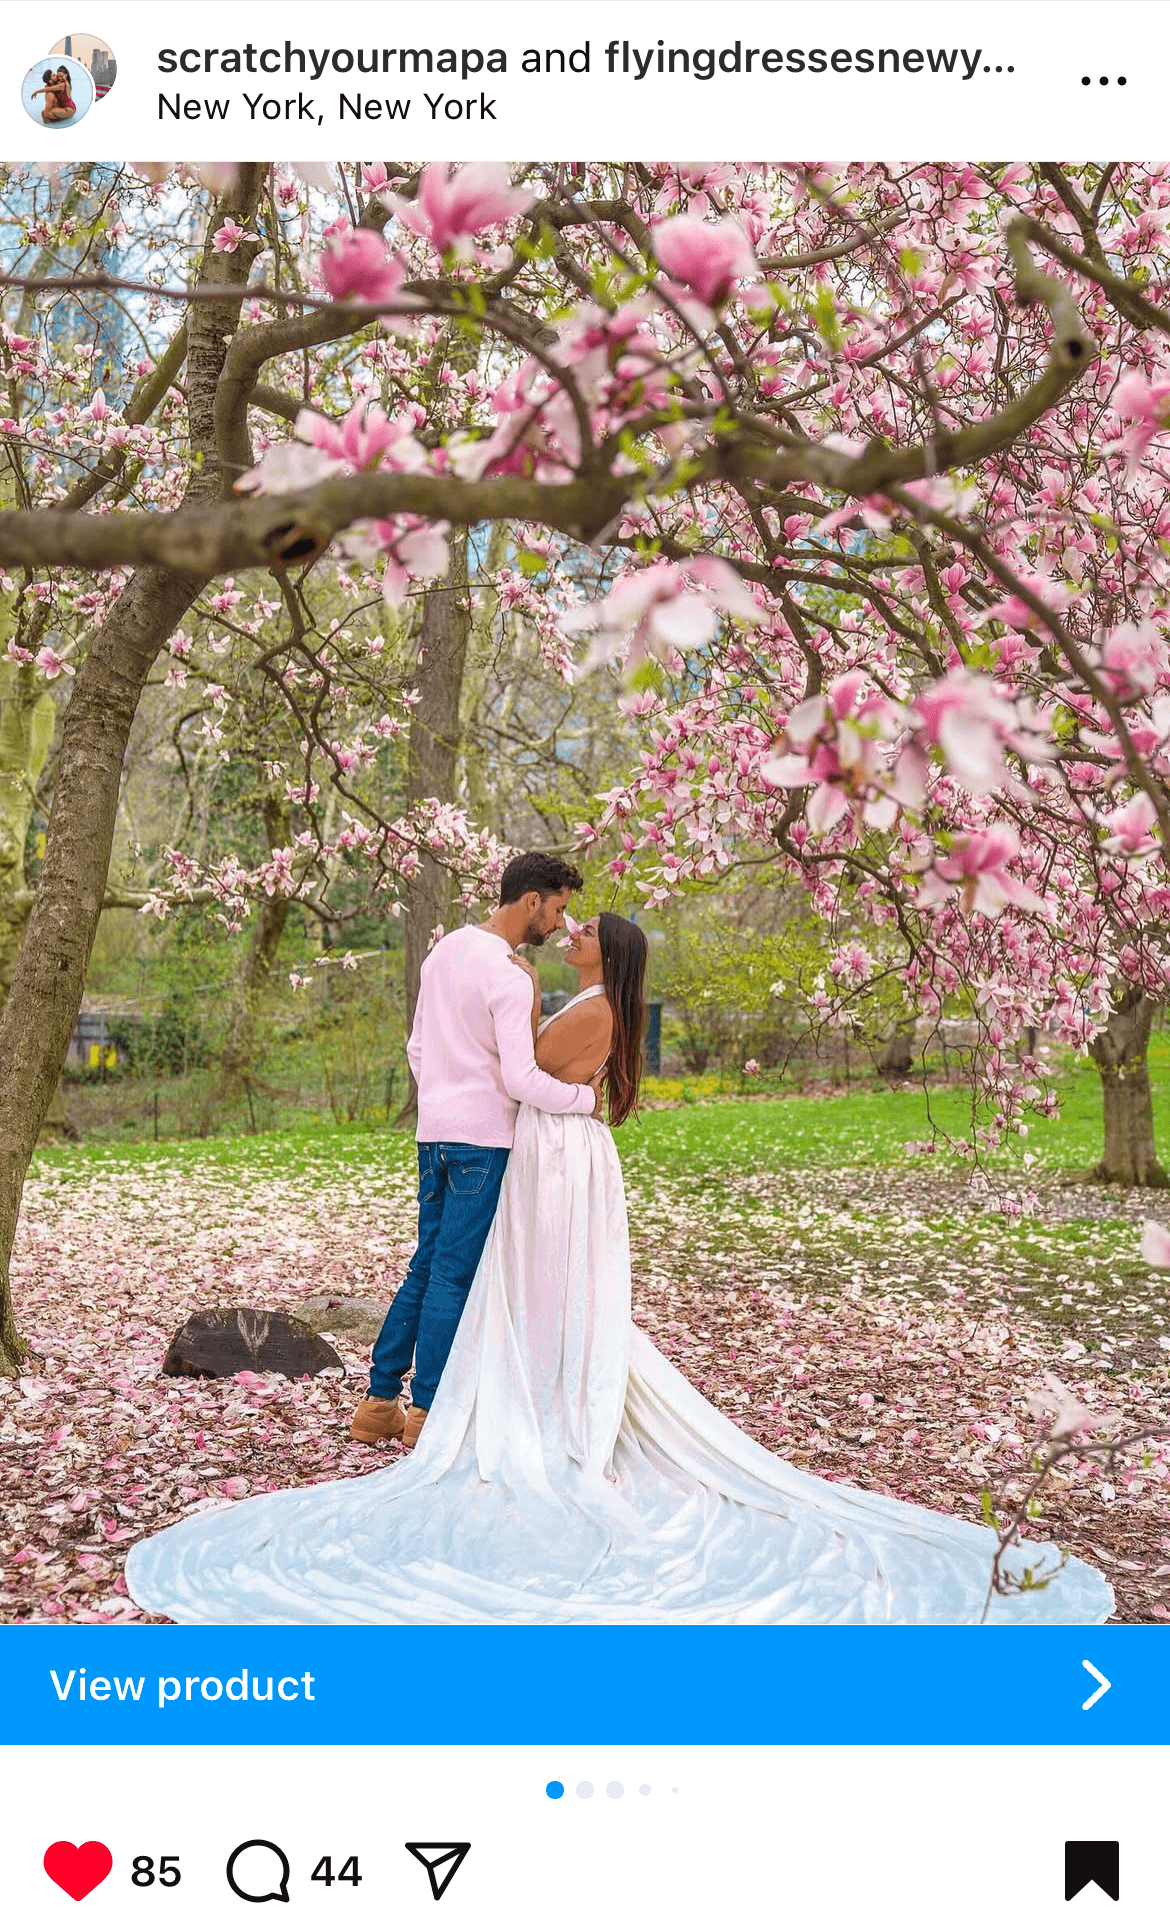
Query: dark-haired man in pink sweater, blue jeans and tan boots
[{"x": 474, "y": 1063}]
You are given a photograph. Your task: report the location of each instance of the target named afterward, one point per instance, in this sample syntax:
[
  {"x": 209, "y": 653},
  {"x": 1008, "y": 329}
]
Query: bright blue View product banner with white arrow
[{"x": 617, "y": 1685}]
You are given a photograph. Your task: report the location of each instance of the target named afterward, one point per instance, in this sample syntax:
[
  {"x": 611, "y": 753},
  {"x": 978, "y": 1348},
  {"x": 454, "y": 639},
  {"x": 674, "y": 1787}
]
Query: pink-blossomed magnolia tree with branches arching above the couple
[{"x": 866, "y": 466}]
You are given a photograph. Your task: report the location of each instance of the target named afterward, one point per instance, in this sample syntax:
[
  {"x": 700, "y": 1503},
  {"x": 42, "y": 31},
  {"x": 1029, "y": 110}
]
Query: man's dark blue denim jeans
[{"x": 459, "y": 1192}]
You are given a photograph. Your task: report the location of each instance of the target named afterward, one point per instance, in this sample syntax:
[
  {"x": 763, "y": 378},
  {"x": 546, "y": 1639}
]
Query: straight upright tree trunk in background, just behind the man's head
[{"x": 432, "y": 768}]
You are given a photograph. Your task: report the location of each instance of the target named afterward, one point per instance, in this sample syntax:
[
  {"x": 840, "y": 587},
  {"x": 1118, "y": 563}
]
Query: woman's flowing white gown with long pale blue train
[{"x": 571, "y": 1474}]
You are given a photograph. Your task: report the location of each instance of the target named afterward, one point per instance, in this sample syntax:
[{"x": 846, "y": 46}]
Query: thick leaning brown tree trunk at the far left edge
[{"x": 49, "y": 978}]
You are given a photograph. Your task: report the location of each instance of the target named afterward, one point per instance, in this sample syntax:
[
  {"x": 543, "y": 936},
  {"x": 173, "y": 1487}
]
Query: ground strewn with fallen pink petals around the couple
[{"x": 877, "y": 1326}]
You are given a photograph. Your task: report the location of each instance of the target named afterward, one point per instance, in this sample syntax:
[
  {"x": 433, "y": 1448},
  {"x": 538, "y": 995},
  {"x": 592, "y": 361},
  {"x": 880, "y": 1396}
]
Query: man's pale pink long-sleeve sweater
[{"x": 472, "y": 1046}]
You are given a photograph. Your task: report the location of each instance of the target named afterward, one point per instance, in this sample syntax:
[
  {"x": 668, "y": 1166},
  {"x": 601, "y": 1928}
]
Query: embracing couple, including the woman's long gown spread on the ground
[{"x": 561, "y": 1469}]
